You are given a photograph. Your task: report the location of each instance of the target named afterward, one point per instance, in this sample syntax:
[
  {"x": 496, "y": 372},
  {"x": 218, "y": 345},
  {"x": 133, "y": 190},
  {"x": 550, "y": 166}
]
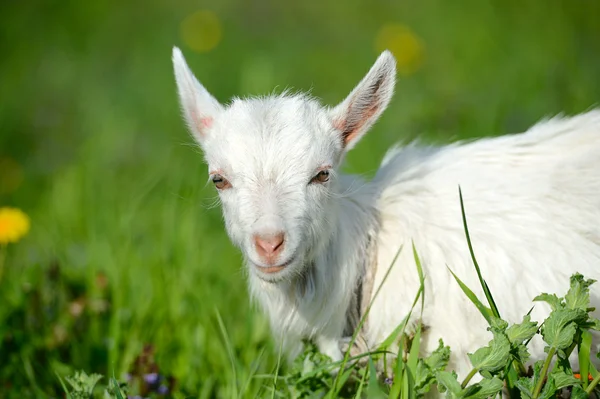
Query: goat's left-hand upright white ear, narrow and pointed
[{"x": 198, "y": 106}]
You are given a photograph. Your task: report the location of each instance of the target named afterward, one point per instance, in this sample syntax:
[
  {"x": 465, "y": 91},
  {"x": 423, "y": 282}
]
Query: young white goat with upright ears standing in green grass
[{"x": 315, "y": 241}]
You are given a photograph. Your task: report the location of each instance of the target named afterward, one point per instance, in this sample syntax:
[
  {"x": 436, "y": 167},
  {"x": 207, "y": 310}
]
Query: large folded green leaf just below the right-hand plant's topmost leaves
[{"x": 560, "y": 327}]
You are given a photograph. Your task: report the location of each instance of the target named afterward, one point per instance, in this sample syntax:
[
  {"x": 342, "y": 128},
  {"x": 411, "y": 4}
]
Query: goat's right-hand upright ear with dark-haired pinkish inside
[{"x": 358, "y": 112}]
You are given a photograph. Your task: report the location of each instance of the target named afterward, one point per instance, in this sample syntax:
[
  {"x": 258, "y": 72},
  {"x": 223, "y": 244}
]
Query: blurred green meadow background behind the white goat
[{"x": 126, "y": 249}]
